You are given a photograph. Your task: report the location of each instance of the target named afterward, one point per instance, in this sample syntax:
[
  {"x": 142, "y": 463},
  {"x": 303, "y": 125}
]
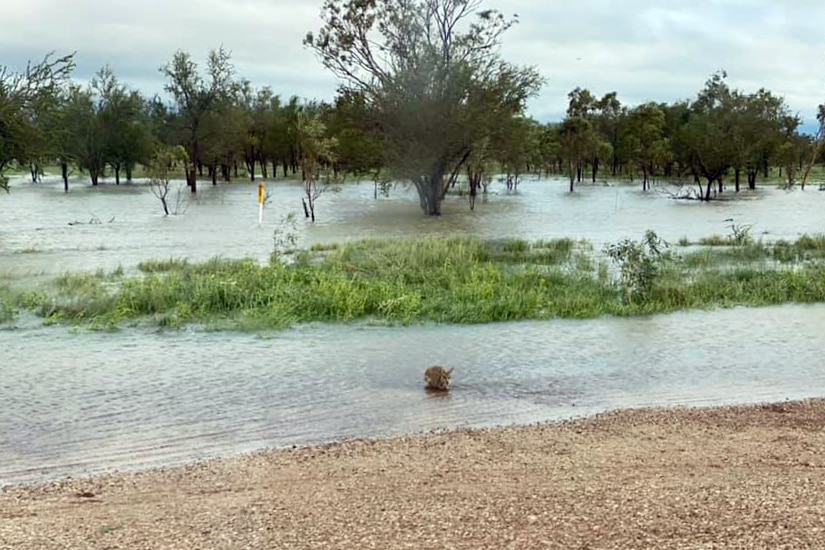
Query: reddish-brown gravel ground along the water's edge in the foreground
[{"x": 731, "y": 477}]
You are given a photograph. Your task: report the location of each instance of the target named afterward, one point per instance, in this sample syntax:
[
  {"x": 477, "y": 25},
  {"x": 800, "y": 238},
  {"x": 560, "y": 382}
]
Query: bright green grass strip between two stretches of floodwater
[{"x": 401, "y": 281}]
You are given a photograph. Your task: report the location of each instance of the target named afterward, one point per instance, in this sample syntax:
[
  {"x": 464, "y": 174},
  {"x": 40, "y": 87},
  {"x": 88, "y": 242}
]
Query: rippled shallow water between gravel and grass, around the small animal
[{"x": 83, "y": 403}]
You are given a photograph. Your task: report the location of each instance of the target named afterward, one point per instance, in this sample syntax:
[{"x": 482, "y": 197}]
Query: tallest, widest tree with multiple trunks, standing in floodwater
[{"x": 432, "y": 75}]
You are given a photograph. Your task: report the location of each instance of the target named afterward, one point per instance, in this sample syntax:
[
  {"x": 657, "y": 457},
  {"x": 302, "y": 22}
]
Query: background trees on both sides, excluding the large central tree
[{"x": 228, "y": 126}]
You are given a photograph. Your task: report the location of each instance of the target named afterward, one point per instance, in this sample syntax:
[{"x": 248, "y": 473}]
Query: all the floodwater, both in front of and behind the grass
[{"x": 75, "y": 403}]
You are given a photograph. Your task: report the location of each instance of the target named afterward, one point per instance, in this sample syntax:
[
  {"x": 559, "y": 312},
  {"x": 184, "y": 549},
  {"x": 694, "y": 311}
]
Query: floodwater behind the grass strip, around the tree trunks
[{"x": 36, "y": 237}]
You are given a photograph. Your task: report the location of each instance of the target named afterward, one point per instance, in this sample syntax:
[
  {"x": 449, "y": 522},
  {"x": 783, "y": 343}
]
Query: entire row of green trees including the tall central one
[{"x": 423, "y": 98}]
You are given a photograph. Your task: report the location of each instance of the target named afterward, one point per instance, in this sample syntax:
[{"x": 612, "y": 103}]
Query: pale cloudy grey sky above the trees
[{"x": 660, "y": 50}]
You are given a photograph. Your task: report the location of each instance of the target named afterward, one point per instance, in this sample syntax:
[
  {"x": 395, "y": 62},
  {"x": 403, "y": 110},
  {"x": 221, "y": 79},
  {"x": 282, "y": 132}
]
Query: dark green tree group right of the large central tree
[{"x": 722, "y": 134}]
